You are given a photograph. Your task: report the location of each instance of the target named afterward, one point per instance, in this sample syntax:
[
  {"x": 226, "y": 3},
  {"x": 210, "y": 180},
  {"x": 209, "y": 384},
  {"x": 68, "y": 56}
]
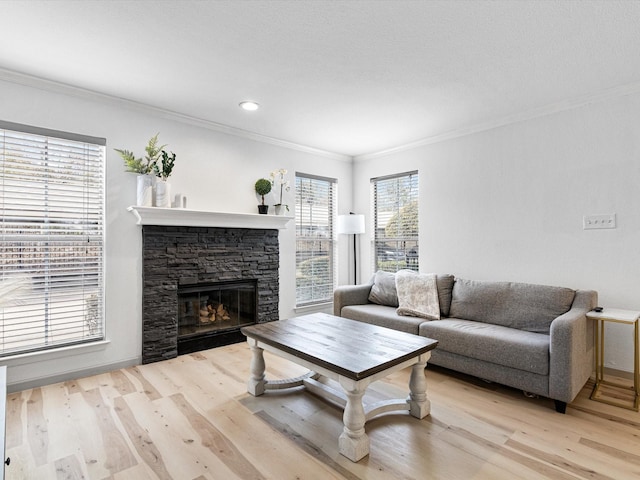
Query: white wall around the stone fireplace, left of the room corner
[{"x": 216, "y": 171}]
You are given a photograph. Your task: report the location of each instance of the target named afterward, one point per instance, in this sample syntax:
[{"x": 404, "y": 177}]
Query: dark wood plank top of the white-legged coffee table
[{"x": 350, "y": 348}]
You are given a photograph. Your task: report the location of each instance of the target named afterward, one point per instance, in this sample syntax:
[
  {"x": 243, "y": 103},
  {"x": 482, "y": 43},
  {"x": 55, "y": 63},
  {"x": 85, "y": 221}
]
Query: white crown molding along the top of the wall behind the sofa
[{"x": 550, "y": 109}]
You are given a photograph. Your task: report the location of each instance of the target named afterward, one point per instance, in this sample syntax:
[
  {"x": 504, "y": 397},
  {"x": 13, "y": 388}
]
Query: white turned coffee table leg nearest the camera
[{"x": 353, "y": 442}]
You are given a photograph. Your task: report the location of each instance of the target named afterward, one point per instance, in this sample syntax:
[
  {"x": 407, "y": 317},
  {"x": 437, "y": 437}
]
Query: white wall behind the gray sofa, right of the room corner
[{"x": 507, "y": 204}]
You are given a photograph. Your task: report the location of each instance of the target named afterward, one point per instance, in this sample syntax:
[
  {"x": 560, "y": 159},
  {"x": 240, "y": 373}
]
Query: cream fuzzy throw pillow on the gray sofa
[{"x": 417, "y": 295}]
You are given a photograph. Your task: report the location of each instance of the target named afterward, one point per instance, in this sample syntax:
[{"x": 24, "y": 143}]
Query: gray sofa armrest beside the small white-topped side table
[{"x": 571, "y": 348}]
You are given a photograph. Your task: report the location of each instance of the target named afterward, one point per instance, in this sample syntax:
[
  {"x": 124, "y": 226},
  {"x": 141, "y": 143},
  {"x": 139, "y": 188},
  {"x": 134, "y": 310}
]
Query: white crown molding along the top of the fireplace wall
[{"x": 87, "y": 94}]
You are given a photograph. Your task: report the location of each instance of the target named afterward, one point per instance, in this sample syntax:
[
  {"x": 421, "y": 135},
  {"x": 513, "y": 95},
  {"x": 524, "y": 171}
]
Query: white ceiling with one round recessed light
[{"x": 349, "y": 77}]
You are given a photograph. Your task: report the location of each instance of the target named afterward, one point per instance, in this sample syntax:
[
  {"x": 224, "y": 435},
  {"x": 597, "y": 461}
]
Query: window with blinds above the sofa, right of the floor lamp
[{"x": 395, "y": 213}]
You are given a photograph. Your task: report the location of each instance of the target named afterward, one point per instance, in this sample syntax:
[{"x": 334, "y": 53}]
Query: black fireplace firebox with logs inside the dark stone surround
[{"x": 212, "y": 312}]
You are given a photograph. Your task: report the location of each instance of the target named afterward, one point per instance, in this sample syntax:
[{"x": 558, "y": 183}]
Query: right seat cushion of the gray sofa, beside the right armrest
[{"x": 510, "y": 347}]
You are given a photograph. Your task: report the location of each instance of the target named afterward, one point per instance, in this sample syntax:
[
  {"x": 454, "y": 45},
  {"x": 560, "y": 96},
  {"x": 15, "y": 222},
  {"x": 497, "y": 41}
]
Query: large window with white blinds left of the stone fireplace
[{"x": 51, "y": 239}]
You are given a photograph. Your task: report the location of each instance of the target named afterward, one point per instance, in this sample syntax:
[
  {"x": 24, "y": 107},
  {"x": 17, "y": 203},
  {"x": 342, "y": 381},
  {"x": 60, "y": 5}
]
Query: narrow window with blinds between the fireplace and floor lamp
[{"x": 315, "y": 213}]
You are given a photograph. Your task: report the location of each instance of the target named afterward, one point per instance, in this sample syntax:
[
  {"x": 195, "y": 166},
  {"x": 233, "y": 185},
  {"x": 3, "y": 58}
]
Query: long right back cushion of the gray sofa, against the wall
[{"x": 517, "y": 305}]
